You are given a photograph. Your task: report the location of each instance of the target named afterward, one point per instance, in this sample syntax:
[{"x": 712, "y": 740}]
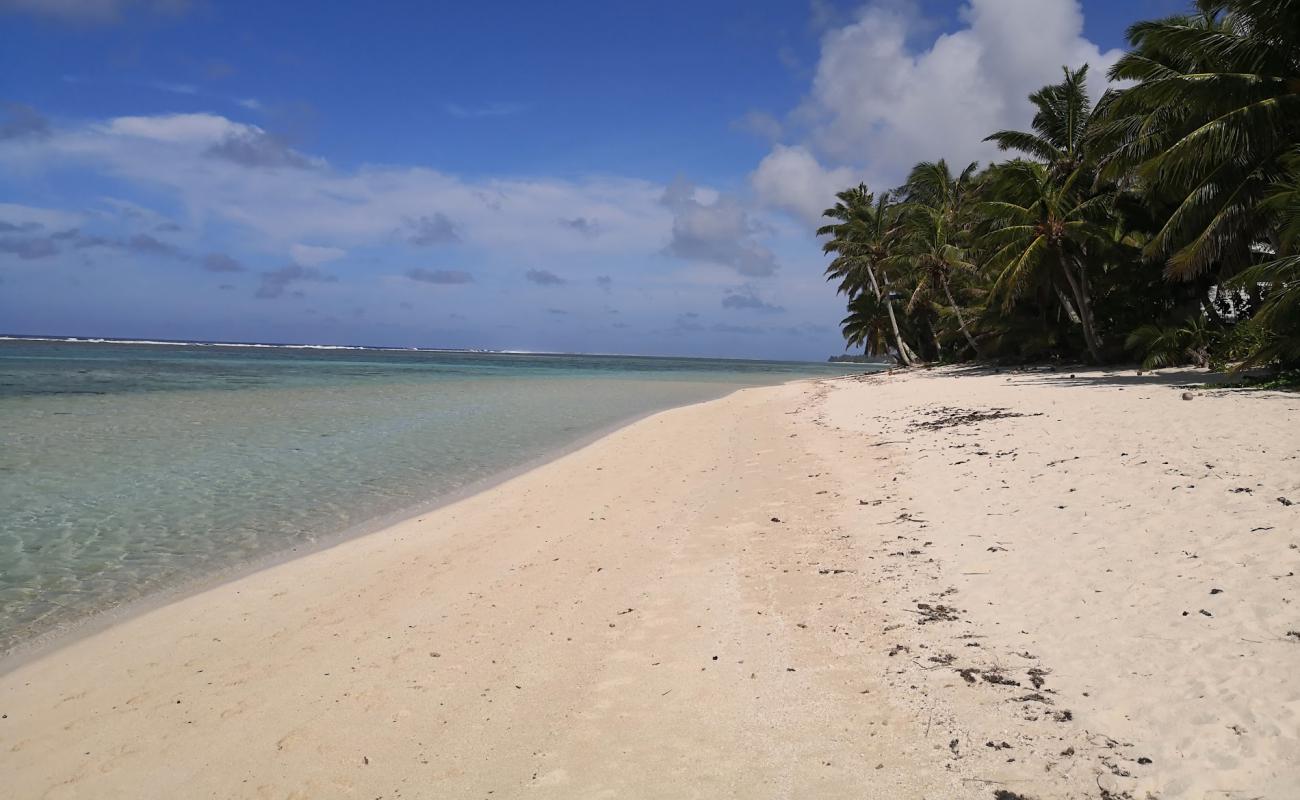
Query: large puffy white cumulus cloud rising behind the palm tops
[{"x": 879, "y": 103}]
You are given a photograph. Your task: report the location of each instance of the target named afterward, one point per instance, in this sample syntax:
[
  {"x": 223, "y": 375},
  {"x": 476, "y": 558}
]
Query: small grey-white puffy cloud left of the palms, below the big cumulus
[{"x": 721, "y": 232}]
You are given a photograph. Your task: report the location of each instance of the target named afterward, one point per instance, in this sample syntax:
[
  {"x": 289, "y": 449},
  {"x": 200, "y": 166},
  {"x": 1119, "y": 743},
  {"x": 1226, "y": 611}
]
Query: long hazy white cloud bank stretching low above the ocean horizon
[{"x": 281, "y": 222}]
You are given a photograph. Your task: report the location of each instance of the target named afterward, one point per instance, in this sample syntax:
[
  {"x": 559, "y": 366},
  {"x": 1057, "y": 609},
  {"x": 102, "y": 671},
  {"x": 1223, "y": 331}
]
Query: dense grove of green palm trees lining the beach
[{"x": 1159, "y": 224}]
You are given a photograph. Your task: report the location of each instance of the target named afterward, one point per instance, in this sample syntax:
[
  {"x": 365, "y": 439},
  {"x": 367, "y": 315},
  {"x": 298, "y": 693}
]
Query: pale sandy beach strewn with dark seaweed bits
[{"x": 939, "y": 585}]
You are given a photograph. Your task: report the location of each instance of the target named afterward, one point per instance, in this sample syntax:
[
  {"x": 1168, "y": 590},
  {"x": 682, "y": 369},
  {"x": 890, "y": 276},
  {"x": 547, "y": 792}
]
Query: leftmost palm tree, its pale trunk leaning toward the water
[{"x": 861, "y": 240}]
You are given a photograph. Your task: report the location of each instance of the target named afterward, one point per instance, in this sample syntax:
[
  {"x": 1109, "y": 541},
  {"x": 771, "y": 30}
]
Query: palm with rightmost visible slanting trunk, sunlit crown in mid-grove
[{"x": 1046, "y": 230}]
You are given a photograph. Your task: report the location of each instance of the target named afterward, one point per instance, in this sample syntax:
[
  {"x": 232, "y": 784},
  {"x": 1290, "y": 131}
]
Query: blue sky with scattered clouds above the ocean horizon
[{"x": 632, "y": 178}]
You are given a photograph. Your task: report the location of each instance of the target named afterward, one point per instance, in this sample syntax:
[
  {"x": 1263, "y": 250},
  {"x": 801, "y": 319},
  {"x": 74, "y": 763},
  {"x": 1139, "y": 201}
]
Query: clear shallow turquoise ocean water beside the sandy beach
[{"x": 128, "y": 470}]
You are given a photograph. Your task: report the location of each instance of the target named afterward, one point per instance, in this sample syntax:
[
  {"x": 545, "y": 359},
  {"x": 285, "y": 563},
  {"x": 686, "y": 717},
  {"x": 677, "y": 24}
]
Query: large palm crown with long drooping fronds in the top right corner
[{"x": 1214, "y": 110}]
